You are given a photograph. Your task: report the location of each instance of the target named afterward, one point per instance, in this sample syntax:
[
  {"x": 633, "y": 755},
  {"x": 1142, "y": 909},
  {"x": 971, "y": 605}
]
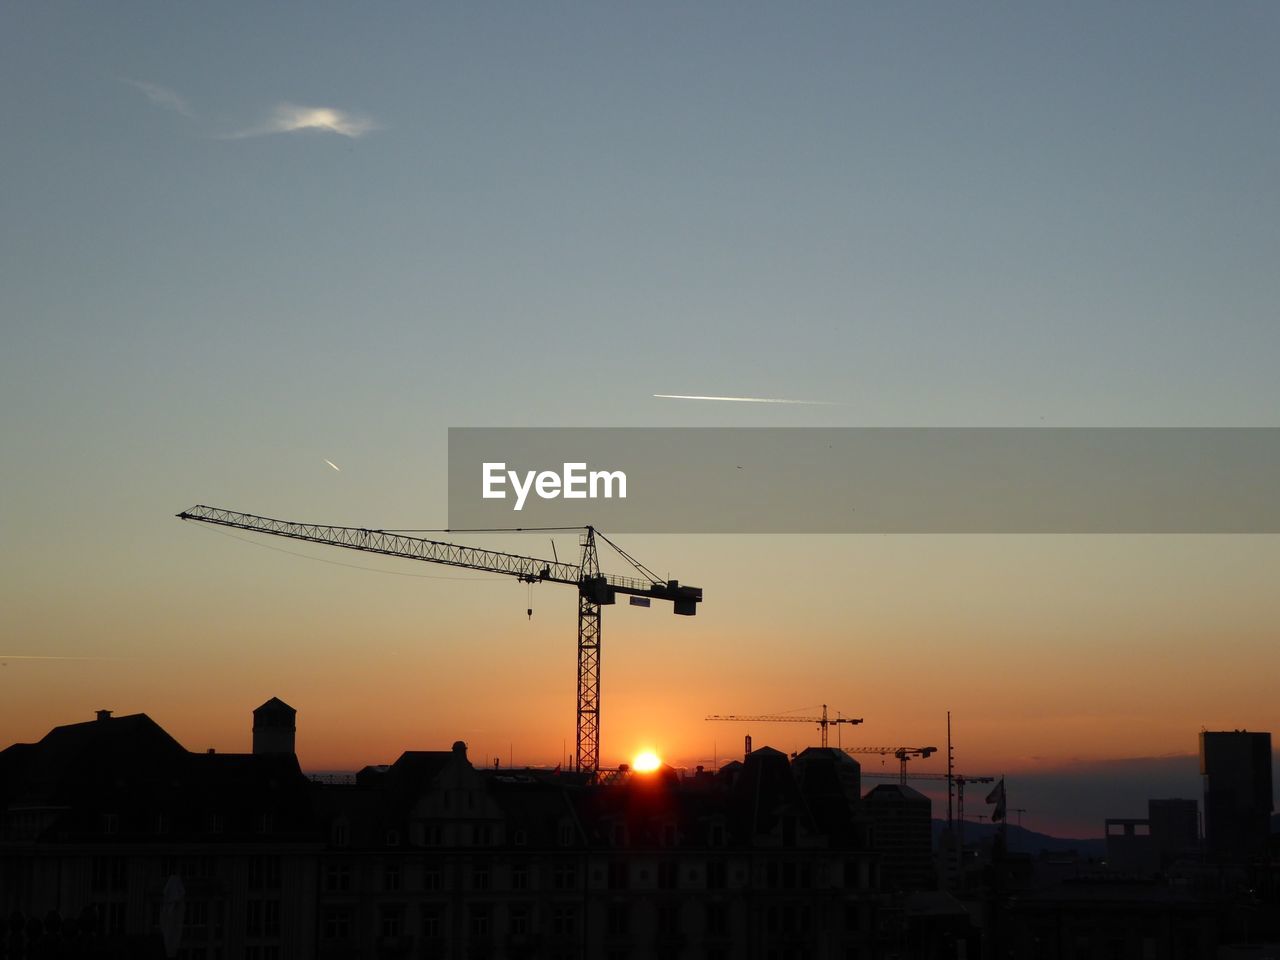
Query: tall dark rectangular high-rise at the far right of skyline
[{"x": 1238, "y": 801}]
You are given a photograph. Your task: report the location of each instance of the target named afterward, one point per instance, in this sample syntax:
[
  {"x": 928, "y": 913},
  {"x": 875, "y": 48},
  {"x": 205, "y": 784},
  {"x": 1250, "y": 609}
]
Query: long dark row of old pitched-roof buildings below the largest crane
[{"x": 428, "y": 857}]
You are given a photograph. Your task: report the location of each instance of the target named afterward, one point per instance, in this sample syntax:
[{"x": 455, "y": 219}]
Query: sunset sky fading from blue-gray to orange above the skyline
[{"x": 237, "y": 241}]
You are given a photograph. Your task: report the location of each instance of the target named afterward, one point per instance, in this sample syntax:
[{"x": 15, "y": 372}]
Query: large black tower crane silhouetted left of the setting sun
[{"x": 595, "y": 589}]
